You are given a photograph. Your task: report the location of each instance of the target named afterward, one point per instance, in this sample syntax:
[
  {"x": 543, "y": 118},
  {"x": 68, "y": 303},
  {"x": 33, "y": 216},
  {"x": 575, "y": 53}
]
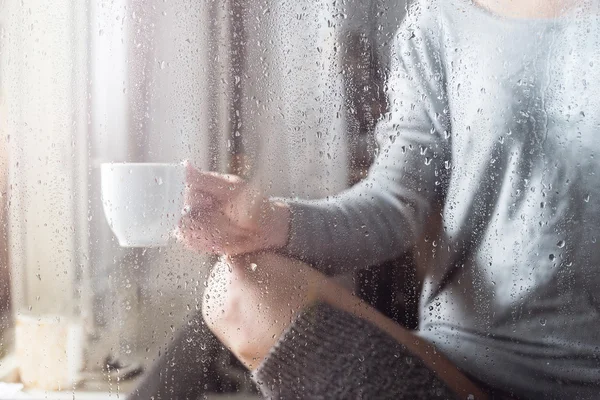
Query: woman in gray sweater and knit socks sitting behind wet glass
[{"x": 488, "y": 167}]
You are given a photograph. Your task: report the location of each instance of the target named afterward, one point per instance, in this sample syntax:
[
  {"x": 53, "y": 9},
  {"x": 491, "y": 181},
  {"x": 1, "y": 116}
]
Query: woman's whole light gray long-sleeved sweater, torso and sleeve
[{"x": 493, "y": 126}]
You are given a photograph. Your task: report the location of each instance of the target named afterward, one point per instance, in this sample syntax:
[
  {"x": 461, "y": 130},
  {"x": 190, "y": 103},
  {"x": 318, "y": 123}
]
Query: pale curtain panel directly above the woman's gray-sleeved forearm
[{"x": 294, "y": 108}]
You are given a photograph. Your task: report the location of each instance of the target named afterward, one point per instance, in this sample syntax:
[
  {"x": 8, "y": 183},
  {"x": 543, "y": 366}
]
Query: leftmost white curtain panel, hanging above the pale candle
[{"x": 44, "y": 86}]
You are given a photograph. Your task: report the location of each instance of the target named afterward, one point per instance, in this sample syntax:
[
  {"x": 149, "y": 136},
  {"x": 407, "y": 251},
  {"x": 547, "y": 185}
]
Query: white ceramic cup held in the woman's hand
[{"x": 143, "y": 202}]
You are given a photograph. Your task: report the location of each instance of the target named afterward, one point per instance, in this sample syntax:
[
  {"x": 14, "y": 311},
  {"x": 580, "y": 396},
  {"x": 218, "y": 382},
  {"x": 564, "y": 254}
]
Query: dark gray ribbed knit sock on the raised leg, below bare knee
[{"x": 331, "y": 354}]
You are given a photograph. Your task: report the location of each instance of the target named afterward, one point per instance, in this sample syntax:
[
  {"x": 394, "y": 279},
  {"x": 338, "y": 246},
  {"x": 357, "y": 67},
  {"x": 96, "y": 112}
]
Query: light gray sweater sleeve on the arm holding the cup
[{"x": 379, "y": 218}]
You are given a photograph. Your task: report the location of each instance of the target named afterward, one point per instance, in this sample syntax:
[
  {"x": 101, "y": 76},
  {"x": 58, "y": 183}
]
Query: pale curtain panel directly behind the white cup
[{"x": 155, "y": 99}]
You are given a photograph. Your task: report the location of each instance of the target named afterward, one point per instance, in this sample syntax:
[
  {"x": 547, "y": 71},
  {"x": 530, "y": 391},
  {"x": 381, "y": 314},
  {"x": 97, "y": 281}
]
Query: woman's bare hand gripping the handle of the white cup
[{"x": 225, "y": 215}]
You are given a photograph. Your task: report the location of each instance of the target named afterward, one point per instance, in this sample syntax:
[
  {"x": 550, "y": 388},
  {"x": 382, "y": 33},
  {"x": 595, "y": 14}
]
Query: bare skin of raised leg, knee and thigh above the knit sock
[{"x": 252, "y": 301}]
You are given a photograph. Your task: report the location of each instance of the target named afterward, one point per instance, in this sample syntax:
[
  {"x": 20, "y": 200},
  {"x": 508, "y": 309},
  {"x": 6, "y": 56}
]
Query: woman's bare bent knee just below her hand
[{"x": 251, "y": 300}]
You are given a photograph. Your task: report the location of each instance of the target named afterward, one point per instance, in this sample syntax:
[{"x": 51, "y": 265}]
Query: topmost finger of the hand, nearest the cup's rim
[{"x": 218, "y": 185}]
